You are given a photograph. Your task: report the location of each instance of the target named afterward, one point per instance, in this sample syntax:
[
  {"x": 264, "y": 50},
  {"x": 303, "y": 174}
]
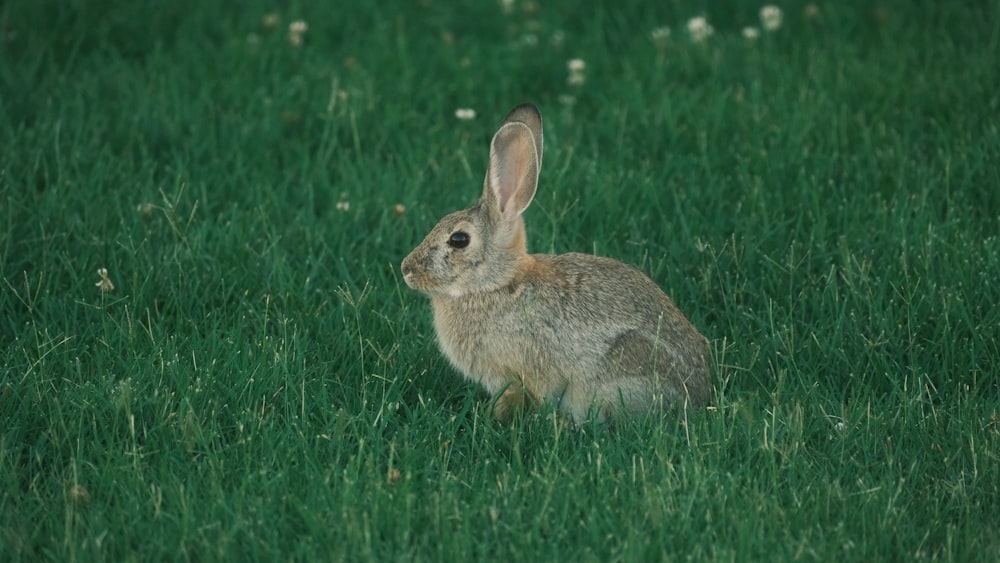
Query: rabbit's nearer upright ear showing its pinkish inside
[{"x": 513, "y": 173}]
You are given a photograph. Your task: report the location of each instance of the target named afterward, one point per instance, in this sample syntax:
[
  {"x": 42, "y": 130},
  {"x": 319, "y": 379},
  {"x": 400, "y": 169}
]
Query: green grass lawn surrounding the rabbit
[{"x": 822, "y": 201}]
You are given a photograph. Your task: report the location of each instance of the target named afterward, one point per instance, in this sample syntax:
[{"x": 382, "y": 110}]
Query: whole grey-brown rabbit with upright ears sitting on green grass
[{"x": 589, "y": 334}]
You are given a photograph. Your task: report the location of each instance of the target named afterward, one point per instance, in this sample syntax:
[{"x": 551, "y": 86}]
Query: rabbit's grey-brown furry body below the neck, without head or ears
[{"x": 570, "y": 337}]
